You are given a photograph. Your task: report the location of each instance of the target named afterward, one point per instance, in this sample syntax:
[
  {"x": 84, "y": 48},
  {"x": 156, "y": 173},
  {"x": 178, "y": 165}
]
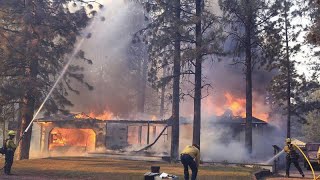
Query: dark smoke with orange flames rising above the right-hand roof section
[{"x": 227, "y": 91}]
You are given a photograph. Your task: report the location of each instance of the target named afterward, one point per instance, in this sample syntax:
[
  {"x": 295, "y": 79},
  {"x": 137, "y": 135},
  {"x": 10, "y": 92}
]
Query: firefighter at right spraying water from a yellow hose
[{"x": 292, "y": 157}]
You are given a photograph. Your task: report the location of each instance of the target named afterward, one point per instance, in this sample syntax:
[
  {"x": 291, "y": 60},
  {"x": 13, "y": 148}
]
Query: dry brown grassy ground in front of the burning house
[{"x": 111, "y": 169}]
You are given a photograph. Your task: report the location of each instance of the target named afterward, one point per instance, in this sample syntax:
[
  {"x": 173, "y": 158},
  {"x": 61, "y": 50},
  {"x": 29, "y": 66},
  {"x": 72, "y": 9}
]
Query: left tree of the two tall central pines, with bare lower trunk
[{"x": 163, "y": 37}]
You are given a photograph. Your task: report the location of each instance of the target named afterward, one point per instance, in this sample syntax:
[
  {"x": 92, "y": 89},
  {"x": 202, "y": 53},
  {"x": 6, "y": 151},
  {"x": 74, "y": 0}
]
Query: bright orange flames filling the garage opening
[{"x": 63, "y": 137}]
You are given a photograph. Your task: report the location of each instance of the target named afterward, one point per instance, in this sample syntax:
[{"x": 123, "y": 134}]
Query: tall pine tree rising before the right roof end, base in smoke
[{"x": 246, "y": 21}]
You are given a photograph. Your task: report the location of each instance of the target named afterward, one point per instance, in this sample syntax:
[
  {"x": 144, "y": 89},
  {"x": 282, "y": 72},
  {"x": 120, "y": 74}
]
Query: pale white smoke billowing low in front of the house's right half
[{"x": 219, "y": 143}]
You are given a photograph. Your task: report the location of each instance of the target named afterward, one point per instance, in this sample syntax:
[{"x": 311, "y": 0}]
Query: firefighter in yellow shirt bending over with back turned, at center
[{"x": 190, "y": 157}]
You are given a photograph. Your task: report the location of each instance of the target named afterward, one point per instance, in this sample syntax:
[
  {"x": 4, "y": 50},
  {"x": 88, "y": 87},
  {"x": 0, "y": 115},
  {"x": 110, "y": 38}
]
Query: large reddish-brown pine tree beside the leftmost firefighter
[{"x": 36, "y": 36}]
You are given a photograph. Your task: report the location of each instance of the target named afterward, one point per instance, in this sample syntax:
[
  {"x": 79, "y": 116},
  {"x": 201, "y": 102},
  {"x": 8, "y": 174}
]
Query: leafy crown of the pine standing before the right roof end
[{"x": 245, "y": 20}]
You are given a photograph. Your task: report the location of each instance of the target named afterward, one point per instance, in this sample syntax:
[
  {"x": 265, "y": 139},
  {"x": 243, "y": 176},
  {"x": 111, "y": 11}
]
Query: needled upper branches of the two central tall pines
[{"x": 161, "y": 33}]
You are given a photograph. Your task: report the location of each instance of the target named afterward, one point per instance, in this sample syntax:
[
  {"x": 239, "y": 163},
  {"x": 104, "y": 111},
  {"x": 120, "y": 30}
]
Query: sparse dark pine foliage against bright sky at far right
[{"x": 300, "y": 86}]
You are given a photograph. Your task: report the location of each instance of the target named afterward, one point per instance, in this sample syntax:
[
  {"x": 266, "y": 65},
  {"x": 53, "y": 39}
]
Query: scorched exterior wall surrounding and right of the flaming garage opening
[{"x": 109, "y": 135}]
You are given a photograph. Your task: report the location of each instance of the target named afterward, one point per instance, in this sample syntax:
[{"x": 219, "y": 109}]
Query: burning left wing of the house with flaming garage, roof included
[{"x": 81, "y": 133}]
